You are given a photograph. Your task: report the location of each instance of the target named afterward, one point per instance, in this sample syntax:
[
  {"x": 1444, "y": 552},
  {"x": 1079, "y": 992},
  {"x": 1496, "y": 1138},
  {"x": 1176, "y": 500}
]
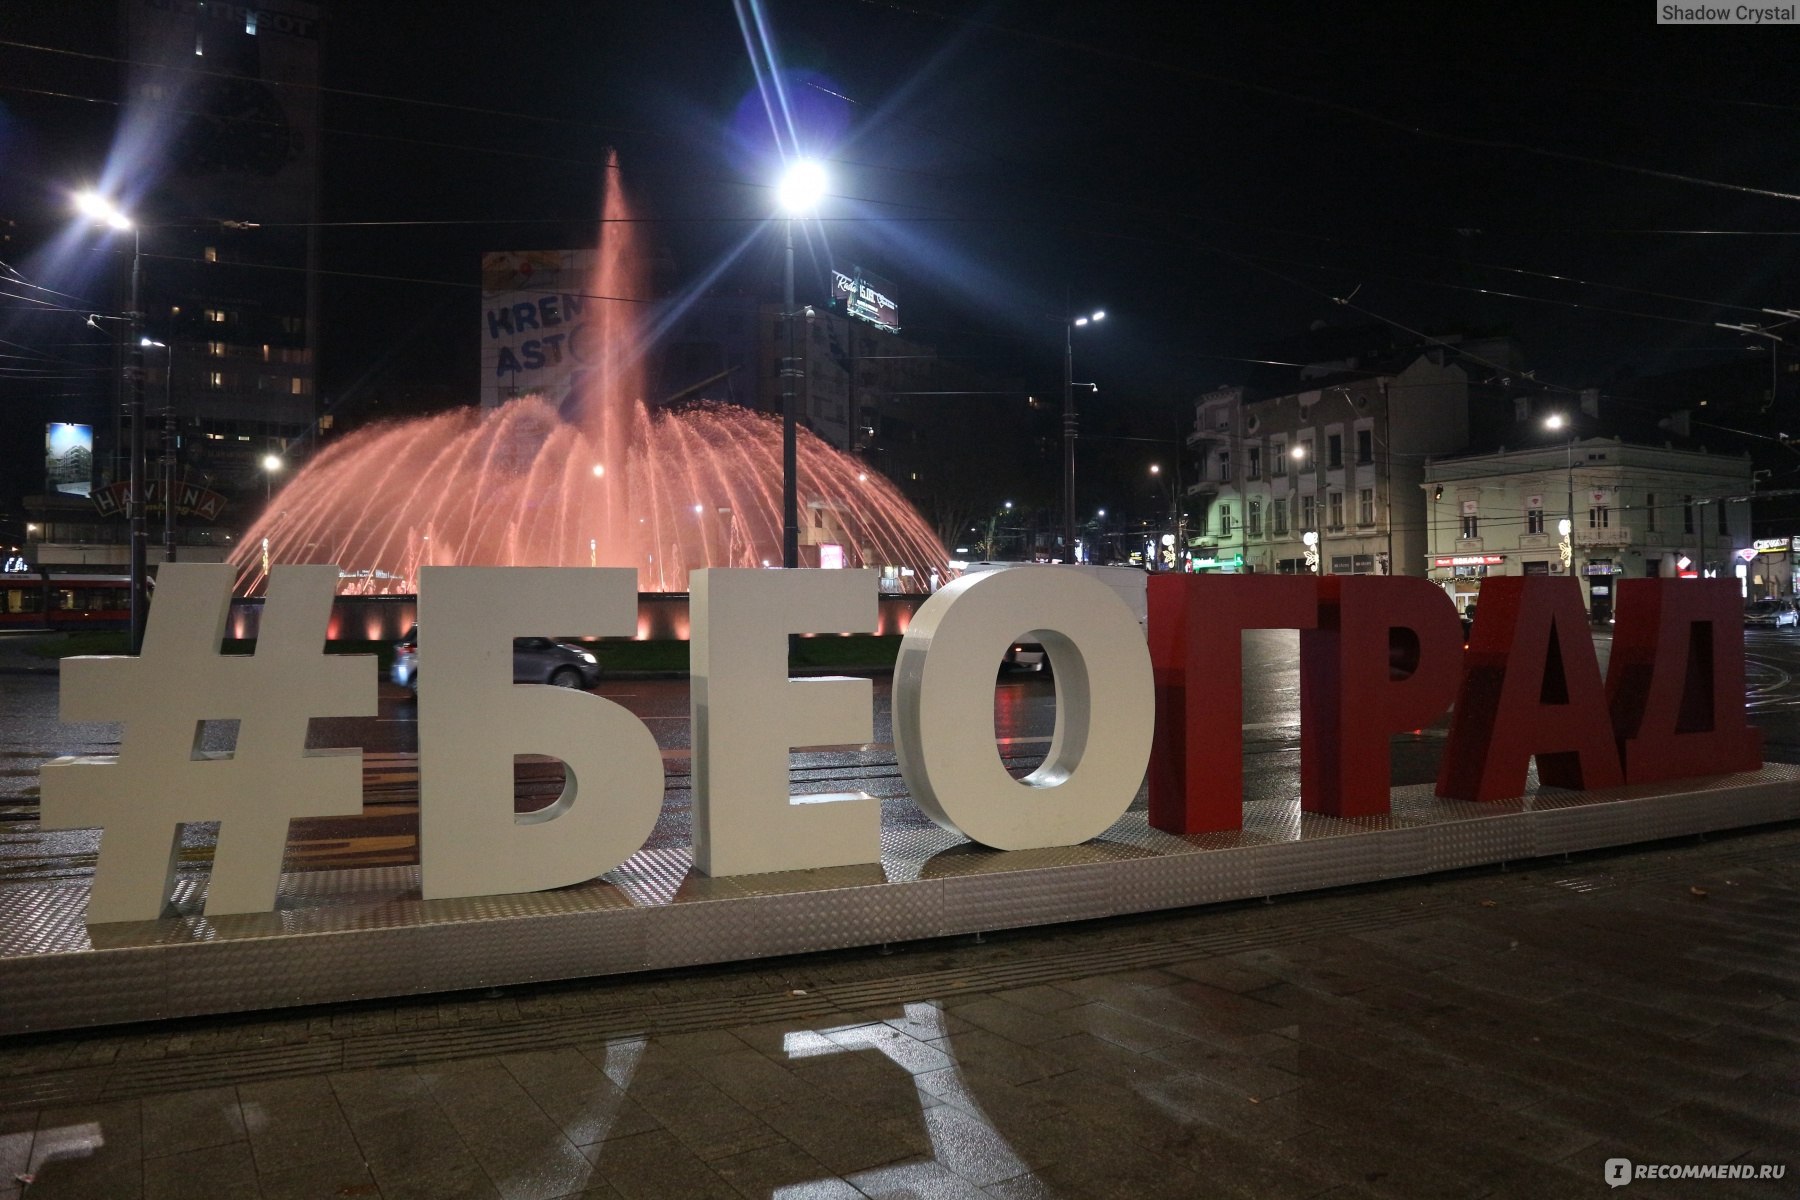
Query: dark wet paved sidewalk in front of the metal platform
[{"x": 1493, "y": 1034}]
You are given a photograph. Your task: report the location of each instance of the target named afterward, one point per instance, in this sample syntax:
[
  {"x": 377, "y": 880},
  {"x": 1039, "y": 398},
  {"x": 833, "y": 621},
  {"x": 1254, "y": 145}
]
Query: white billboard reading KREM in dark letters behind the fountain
[{"x": 534, "y": 325}]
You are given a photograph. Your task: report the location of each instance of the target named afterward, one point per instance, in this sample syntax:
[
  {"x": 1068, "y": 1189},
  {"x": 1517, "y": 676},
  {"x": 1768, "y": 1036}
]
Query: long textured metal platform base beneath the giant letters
[{"x": 359, "y": 935}]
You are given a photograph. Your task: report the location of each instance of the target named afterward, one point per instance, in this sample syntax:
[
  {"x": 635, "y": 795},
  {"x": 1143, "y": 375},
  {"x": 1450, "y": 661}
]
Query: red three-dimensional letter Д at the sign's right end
[{"x": 1677, "y": 681}]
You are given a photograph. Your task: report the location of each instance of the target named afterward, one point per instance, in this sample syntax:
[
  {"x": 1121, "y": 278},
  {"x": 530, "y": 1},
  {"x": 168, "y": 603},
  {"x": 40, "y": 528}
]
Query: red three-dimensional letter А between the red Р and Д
[{"x": 1531, "y": 688}]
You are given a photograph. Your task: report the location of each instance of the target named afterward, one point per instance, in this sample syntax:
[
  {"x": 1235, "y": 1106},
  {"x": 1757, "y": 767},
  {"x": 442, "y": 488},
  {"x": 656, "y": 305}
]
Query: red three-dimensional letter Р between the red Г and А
[{"x": 1349, "y": 697}]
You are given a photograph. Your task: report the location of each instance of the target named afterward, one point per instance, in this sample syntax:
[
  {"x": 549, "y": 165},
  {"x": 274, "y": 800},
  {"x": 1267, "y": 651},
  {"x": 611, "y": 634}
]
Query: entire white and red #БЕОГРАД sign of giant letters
[{"x": 1171, "y": 708}]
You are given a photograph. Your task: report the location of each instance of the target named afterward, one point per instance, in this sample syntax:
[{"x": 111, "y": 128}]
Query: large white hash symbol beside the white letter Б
[{"x": 161, "y": 780}]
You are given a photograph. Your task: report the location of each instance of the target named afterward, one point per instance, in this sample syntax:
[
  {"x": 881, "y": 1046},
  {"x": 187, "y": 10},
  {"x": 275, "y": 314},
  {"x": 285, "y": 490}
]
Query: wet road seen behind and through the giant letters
[{"x": 1023, "y": 721}]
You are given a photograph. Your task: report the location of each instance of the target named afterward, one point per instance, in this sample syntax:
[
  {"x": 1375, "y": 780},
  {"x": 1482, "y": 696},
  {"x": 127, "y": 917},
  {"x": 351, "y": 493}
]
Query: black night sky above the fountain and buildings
[{"x": 1210, "y": 175}]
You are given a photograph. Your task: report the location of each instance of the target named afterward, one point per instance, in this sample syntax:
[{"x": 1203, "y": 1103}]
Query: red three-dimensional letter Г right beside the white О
[{"x": 1198, "y": 656}]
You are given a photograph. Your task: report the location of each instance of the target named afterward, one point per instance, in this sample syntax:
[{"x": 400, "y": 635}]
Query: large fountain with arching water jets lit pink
[{"x": 600, "y": 481}]
